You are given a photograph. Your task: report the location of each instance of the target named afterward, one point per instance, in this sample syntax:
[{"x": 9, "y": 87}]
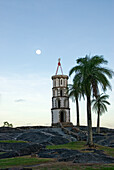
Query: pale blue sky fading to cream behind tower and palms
[{"x": 59, "y": 28}]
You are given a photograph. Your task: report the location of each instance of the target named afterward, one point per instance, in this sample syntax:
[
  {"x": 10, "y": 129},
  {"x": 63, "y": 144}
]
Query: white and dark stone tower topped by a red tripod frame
[{"x": 60, "y": 100}]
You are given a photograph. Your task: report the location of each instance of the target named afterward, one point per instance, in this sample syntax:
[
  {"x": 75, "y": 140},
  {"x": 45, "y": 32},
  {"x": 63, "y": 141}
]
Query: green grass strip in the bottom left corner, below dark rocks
[{"x": 22, "y": 161}]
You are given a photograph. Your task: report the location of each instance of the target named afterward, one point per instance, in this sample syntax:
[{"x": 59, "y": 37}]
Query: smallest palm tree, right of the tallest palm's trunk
[{"x": 99, "y": 106}]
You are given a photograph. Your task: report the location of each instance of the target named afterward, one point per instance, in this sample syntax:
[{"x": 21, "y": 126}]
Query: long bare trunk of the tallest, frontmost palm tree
[{"x": 89, "y": 121}]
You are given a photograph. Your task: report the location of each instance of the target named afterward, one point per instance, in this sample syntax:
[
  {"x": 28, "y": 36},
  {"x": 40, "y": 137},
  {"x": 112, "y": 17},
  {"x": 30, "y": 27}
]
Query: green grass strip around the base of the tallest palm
[{"x": 82, "y": 145}]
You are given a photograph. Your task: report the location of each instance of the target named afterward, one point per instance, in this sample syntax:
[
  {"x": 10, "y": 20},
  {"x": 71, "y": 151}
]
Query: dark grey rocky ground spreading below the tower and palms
[{"x": 38, "y": 137}]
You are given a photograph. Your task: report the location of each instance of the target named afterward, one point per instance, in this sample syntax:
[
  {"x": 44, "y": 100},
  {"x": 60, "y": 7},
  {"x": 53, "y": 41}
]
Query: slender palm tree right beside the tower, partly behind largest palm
[{"x": 74, "y": 92}]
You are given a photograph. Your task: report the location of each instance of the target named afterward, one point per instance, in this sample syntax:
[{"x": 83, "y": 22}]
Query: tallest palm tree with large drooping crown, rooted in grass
[{"x": 90, "y": 74}]
